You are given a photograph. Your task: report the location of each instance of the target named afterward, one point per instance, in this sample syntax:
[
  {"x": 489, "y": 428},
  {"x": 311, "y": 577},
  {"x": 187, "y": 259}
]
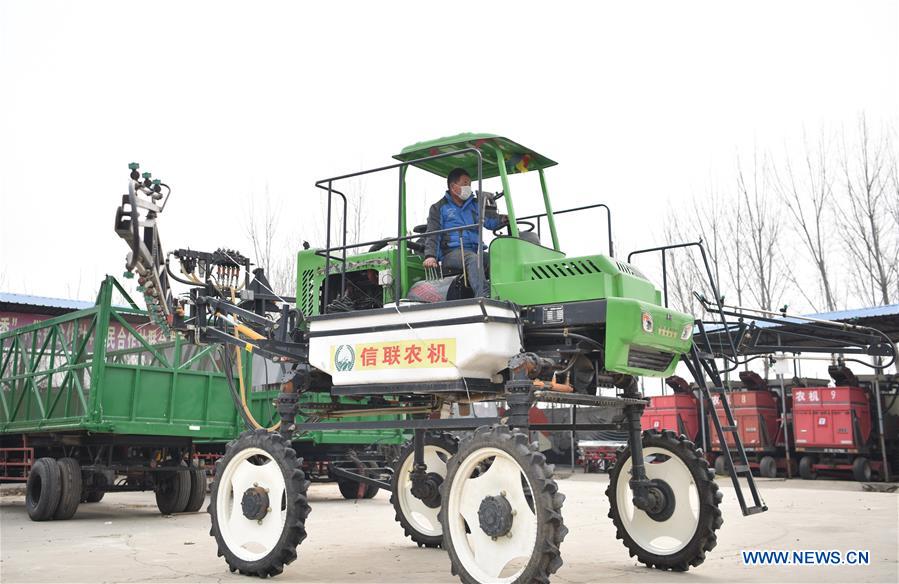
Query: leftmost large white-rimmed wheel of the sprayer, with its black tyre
[{"x": 258, "y": 504}]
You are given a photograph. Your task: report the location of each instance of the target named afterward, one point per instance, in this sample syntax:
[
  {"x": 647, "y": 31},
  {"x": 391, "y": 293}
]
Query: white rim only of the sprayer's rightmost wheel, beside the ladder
[{"x": 660, "y": 537}]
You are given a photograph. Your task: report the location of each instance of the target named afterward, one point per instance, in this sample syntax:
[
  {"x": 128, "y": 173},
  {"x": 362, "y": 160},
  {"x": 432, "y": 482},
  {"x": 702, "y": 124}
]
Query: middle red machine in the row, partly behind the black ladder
[{"x": 757, "y": 414}]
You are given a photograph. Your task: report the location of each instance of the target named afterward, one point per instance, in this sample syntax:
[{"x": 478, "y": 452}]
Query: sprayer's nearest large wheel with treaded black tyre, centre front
[{"x": 501, "y": 512}]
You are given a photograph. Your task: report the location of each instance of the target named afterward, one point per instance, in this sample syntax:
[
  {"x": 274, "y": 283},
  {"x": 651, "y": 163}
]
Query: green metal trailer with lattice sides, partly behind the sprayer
[{"x": 96, "y": 401}]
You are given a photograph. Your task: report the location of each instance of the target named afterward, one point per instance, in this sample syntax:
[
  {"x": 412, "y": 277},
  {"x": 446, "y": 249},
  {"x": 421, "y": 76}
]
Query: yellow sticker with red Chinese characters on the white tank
[{"x": 428, "y": 353}]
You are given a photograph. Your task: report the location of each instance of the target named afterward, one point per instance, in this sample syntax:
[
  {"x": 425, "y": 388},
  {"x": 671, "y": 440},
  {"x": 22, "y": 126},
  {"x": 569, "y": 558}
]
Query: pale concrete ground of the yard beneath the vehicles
[{"x": 124, "y": 539}]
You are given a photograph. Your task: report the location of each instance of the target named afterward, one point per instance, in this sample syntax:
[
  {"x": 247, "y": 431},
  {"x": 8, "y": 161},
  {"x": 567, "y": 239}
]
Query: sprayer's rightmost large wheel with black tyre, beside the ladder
[{"x": 678, "y": 536}]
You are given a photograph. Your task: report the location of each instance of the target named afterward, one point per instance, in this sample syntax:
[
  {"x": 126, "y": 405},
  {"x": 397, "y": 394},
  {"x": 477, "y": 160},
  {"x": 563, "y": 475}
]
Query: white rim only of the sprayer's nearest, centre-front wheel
[{"x": 484, "y": 558}]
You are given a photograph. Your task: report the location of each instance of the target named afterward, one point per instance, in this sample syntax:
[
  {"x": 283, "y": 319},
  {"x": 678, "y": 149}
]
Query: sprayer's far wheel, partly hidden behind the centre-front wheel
[{"x": 419, "y": 517}]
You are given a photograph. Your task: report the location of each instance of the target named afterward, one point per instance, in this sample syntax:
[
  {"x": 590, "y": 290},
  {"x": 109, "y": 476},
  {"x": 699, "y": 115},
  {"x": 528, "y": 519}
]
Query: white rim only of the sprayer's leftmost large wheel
[{"x": 248, "y": 539}]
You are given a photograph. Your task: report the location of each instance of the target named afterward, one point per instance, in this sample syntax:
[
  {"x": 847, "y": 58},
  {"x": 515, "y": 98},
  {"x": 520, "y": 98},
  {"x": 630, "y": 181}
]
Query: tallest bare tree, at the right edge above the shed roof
[{"x": 864, "y": 215}]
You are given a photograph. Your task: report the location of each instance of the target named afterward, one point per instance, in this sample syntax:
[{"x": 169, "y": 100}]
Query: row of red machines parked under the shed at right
[{"x": 849, "y": 428}]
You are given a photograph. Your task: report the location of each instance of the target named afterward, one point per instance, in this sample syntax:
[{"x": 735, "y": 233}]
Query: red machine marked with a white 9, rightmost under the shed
[{"x": 833, "y": 428}]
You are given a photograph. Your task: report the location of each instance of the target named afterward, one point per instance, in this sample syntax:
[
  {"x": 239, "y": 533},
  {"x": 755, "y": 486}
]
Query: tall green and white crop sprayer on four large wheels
[{"x": 378, "y": 340}]
